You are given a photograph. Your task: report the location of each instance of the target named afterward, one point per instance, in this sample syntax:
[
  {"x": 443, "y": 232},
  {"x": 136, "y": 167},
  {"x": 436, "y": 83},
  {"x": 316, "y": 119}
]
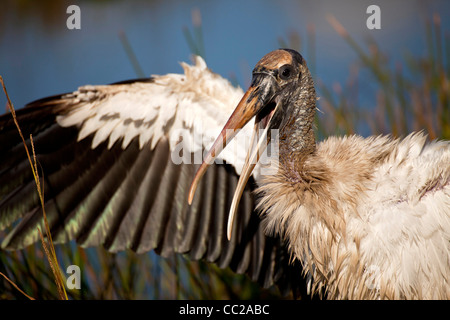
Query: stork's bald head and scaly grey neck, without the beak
[{"x": 285, "y": 75}]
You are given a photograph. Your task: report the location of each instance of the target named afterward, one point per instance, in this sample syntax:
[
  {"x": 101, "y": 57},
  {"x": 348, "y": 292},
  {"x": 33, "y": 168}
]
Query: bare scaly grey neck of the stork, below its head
[{"x": 297, "y": 139}]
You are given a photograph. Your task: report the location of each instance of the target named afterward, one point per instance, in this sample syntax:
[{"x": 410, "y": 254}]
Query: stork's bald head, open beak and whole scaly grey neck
[{"x": 281, "y": 97}]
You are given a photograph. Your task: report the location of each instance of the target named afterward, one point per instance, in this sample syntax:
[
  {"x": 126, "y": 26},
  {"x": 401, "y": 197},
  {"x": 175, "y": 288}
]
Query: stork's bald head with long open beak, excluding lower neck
[{"x": 275, "y": 88}]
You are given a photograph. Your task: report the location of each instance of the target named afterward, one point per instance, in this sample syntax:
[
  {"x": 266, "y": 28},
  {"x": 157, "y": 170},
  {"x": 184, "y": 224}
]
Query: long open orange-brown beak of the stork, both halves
[{"x": 257, "y": 101}]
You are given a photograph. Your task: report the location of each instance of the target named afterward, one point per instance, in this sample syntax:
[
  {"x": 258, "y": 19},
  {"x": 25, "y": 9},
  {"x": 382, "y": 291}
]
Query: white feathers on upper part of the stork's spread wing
[{"x": 188, "y": 109}]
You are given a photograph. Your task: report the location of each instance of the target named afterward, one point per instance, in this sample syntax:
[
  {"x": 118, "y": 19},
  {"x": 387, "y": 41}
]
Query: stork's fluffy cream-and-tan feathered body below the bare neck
[{"x": 368, "y": 218}]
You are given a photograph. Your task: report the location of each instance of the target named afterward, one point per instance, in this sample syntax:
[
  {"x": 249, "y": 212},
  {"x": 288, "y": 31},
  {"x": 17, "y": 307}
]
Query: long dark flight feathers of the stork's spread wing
[{"x": 130, "y": 198}]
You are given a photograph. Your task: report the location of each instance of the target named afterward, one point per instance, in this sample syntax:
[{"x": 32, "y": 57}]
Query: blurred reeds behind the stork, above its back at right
[{"x": 403, "y": 103}]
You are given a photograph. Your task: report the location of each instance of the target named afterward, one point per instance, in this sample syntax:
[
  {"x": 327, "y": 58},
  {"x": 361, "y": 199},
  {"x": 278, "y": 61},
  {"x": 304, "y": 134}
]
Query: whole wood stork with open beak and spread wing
[{"x": 366, "y": 218}]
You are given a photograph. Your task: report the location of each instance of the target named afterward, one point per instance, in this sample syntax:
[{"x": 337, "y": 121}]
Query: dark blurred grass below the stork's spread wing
[{"x": 125, "y": 275}]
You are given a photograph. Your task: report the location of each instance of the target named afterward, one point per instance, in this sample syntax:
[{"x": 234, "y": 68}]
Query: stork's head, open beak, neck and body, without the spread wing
[{"x": 368, "y": 218}]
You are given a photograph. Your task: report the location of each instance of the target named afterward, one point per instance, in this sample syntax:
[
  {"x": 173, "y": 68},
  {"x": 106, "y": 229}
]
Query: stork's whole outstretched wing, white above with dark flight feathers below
[{"x": 117, "y": 162}]
